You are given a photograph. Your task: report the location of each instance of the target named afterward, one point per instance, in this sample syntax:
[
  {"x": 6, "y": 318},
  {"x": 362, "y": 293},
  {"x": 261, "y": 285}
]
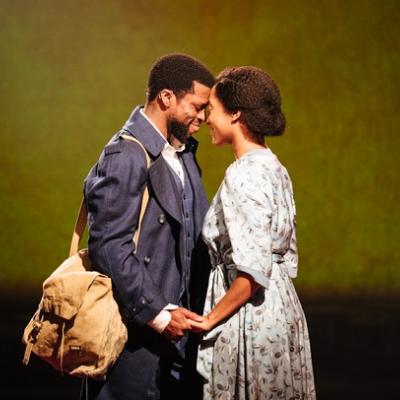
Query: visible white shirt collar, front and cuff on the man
[{"x": 169, "y": 153}]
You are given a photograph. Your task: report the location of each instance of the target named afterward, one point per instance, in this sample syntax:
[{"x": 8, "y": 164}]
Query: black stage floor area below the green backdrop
[{"x": 353, "y": 344}]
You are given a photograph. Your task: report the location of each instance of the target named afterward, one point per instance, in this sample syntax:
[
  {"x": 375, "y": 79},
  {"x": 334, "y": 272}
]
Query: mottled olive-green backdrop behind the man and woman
[{"x": 71, "y": 71}]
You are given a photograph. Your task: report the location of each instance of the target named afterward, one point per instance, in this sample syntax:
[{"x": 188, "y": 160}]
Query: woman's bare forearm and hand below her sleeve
[{"x": 241, "y": 290}]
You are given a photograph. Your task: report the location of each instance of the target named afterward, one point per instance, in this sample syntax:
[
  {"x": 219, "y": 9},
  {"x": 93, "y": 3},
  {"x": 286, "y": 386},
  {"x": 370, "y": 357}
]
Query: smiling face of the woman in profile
[{"x": 219, "y": 121}]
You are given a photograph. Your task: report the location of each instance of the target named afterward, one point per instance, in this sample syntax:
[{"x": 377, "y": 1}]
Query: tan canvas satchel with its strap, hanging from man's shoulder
[{"x": 77, "y": 327}]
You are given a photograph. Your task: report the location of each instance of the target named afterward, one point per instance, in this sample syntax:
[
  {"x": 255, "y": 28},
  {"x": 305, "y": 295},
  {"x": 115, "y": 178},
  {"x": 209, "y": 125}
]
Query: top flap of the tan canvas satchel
[{"x": 63, "y": 294}]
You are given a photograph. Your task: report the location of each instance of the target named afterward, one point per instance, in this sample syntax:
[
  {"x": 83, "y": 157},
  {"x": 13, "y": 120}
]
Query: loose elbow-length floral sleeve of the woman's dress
[{"x": 247, "y": 206}]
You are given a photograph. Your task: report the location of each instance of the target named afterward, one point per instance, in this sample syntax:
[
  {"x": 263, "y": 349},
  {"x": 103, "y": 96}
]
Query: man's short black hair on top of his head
[{"x": 177, "y": 72}]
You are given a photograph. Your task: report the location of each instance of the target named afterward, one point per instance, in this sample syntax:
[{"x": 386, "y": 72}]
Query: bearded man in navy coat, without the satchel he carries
[{"x": 151, "y": 284}]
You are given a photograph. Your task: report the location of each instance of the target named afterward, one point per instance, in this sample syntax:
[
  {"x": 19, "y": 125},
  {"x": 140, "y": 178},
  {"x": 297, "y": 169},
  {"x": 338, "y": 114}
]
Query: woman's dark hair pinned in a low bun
[{"x": 254, "y": 93}]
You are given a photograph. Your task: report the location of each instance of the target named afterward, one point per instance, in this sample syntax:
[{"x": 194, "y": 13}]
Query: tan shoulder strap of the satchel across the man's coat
[{"x": 81, "y": 220}]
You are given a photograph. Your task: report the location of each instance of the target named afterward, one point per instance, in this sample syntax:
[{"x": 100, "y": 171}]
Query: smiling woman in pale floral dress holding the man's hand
[{"x": 255, "y": 342}]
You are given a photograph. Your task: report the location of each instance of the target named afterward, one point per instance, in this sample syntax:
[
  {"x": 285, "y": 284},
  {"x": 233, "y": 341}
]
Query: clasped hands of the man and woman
[{"x": 183, "y": 320}]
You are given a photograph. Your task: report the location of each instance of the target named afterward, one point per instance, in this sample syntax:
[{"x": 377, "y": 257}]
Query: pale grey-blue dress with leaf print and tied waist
[{"x": 263, "y": 350}]
